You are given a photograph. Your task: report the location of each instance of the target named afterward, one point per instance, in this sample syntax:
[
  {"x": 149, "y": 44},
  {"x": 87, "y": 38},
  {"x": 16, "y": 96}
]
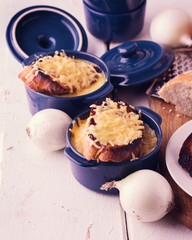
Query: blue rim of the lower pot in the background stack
[{"x": 115, "y": 15}]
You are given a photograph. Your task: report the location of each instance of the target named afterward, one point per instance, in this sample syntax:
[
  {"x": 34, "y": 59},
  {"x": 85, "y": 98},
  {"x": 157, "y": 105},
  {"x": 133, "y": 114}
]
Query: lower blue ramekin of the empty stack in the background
[{"x": 114, "y": 27}]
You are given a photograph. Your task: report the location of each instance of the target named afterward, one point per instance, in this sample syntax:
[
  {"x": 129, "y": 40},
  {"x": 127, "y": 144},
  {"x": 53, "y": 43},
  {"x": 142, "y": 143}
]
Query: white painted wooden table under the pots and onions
[{"x": 39, "y": 197}]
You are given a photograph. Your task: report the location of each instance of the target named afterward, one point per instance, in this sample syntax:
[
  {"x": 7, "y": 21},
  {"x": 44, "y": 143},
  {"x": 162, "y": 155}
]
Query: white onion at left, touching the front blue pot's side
[{"x": 47, "y": 129}]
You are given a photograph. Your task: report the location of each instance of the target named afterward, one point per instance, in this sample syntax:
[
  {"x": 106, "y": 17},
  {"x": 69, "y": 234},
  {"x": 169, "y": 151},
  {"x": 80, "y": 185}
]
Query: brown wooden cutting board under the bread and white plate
[{"x": 171, "y": 121}]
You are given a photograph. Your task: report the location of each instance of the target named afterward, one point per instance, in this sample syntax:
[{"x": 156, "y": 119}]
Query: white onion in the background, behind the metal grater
[{"x": 172, "y": 27}]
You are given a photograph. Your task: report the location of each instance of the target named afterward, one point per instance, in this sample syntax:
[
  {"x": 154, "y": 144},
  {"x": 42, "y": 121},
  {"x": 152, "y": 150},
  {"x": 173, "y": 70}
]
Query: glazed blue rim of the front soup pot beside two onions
[{"x": 82, "y": 161}]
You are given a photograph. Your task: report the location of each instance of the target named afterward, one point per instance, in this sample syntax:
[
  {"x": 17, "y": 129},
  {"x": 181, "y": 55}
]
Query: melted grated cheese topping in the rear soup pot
[{"x": 80, "y": 76}]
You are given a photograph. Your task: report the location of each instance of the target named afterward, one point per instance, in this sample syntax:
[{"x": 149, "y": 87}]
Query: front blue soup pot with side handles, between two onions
[{"x": 93, "y": 174}]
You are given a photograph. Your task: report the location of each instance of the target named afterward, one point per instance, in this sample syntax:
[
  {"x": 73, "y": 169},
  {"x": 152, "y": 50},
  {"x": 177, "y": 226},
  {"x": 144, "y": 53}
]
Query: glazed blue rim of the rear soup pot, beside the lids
[{"x": 106, "y": 87}]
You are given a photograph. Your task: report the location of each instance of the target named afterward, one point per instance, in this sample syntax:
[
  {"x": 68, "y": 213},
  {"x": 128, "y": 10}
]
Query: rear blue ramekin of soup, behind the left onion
[{"x": 71, "y": 105}]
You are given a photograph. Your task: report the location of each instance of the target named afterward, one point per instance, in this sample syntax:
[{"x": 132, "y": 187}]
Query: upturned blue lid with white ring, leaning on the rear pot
[{"x": 44, "y": 29}]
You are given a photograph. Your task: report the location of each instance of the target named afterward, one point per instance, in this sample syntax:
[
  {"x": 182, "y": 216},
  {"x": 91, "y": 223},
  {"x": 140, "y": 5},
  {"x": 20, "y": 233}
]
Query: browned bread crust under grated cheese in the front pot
[{"x": 112, "y": 153}]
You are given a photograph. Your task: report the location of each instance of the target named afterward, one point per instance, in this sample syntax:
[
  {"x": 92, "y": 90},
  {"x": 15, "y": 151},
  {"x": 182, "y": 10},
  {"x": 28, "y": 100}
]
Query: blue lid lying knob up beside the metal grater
[{"x": 137, "y": 62}]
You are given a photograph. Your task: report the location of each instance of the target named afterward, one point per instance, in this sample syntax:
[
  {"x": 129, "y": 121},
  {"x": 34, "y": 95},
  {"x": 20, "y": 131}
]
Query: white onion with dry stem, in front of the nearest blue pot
[{"x": 145, "y": 195}]
